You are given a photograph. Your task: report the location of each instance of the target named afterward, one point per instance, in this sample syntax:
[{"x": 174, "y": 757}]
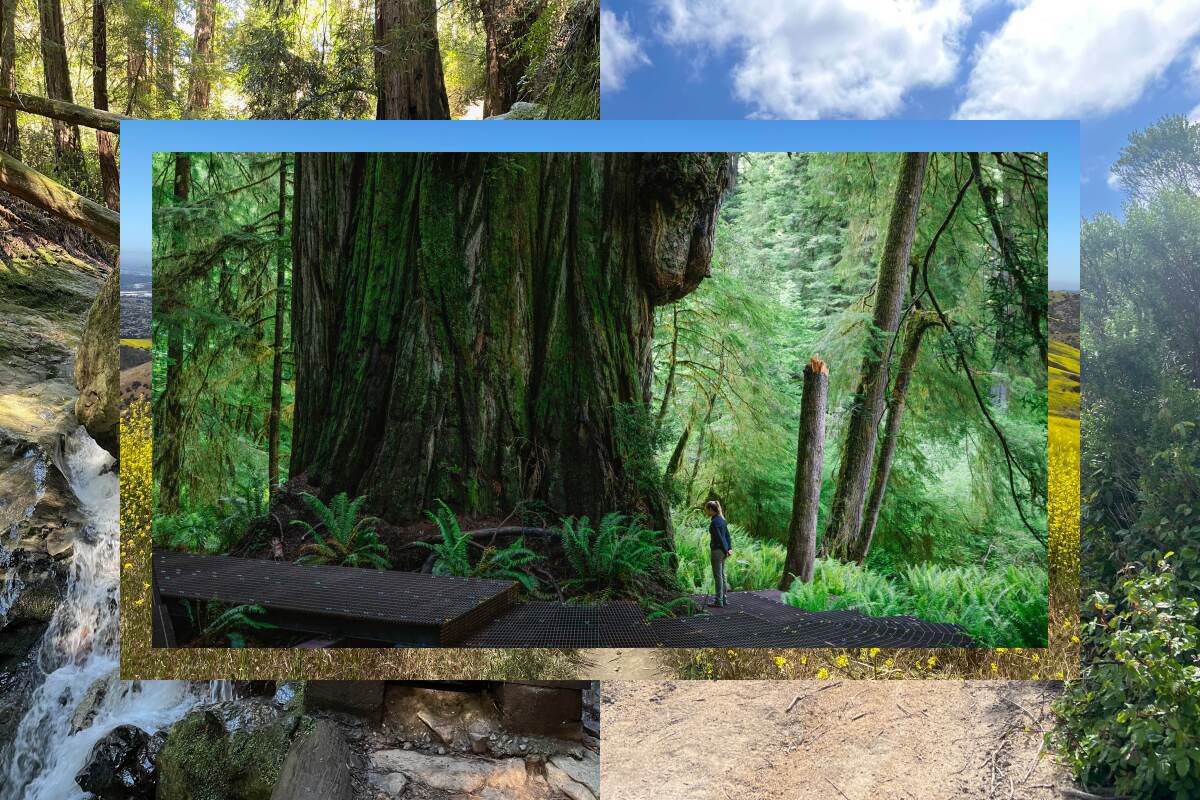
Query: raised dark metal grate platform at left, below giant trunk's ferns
[{"x": 383, "y": 606}]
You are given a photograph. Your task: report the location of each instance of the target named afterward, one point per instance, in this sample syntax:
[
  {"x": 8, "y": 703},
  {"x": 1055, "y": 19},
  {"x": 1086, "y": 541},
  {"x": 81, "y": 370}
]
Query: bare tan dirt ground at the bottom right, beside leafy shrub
[{"x": 842, "y": 741}]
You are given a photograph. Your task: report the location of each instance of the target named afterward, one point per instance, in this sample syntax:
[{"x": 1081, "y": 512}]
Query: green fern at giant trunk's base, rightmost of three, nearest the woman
[{"x": 614, "y": 558}]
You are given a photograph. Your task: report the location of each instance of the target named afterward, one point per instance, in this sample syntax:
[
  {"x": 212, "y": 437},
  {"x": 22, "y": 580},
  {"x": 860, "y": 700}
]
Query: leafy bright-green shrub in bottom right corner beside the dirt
[{"x": 1132, "y": 721}]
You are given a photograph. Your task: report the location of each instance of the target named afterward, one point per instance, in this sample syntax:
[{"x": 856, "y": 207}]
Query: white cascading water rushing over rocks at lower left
[{"x": 81, "y": 700}]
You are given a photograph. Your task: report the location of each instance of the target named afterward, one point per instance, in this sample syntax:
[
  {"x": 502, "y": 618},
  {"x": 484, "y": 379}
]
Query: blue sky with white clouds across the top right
[{"x": 1118, "y": 68}]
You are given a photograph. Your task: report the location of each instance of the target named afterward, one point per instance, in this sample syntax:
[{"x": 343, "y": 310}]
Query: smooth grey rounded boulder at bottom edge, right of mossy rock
[{"x": 317, "y": 767}]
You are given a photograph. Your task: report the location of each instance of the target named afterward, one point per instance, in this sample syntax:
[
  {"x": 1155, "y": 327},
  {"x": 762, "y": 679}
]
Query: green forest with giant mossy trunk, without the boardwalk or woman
[{"x": 848, "y": 351}]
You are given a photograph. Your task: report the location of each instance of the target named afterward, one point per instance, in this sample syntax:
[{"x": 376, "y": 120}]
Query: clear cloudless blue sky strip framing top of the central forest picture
[{"x": 140, "y": 140}]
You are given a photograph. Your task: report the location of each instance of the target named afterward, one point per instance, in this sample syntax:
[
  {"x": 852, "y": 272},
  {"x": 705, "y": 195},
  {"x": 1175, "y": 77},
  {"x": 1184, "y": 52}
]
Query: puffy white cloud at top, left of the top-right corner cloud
[{"x": 811, "y": 59}]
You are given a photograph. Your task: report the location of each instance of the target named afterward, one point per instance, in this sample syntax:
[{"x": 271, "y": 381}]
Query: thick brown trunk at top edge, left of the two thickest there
[{"x": 409, "y": 62}]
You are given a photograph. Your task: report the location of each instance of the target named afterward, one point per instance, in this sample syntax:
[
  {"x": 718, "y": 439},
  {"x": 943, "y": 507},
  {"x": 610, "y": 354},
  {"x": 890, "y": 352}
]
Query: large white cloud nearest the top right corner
[{"x": 1054, "y": 61}]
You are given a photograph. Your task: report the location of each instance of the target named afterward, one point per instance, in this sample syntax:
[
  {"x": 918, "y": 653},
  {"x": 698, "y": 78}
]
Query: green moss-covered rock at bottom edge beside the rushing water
[{"x": 229, "y": 751}]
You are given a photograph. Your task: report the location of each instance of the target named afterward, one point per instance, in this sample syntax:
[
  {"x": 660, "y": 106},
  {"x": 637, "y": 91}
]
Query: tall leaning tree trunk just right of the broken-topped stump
[{"x": 862, "y": 430}]
